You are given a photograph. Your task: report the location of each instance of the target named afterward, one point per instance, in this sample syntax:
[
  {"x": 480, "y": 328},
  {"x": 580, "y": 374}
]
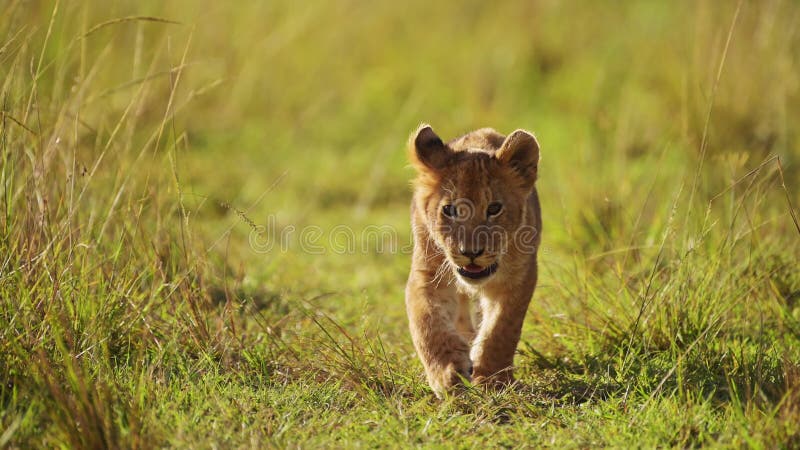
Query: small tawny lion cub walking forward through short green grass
[{"x": 476, "y": 221}]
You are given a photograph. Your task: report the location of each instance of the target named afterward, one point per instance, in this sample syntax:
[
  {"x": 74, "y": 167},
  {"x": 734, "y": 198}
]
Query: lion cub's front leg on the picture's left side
[{"x": 432, "y": 314}]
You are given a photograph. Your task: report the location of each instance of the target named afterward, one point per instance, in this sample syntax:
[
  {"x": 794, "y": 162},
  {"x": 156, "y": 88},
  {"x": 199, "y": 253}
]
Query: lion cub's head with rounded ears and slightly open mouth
[{"x": 473, "y": 196}]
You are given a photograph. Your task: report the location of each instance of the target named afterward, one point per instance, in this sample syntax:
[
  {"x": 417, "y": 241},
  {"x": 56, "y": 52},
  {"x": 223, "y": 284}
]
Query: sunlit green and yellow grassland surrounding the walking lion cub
[{"x": 179, "y": 201}]
